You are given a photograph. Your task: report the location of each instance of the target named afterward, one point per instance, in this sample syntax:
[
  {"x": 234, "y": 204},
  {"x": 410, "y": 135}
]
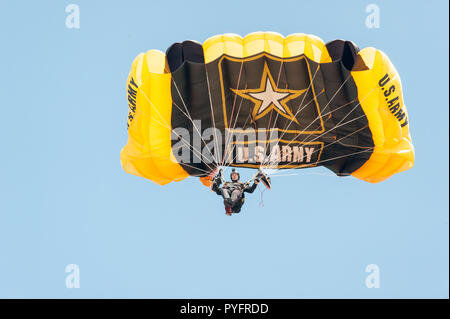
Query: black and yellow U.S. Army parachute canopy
[{"x": 268, "y": 101}]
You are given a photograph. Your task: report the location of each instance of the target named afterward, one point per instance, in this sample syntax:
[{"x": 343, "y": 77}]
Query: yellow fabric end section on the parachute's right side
[{"x": 393, "y": 151}]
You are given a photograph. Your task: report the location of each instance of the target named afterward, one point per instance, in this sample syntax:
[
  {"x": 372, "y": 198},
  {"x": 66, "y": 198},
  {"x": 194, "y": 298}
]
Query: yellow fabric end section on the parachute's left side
[{"x": 148, "y": 152}]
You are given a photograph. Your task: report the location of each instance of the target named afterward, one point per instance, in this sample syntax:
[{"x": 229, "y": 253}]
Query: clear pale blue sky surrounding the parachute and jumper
[{"x": 64, "y": 198}]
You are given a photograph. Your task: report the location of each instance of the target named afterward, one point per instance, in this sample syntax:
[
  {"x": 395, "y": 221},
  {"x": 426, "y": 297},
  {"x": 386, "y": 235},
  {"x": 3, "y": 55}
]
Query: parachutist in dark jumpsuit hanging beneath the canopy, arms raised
[{"x": 233, "y": 191}]
